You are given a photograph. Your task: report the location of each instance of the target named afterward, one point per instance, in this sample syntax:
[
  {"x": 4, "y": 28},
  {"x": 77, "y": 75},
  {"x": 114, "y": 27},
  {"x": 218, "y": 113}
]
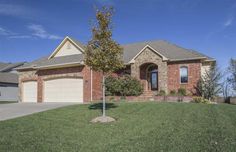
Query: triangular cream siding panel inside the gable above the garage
[{"x": 67, "y": 49}]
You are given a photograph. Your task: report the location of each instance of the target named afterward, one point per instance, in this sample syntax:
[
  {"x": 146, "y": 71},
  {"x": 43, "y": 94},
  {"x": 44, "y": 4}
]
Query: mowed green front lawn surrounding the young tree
[{"x": 139, "y": 127}]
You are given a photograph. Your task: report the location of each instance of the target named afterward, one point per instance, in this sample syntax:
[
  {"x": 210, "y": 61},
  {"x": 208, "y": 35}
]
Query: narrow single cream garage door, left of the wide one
[{"x": 29, "y": 92}]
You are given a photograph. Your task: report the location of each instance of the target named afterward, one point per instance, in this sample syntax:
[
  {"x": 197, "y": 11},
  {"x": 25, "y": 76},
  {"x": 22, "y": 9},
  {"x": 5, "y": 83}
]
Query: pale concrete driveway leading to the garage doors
[{"x": 14, "y": 110}]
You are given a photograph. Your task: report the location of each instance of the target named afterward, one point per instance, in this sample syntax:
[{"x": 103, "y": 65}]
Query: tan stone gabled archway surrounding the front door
[{"x": 149, "y": 56}]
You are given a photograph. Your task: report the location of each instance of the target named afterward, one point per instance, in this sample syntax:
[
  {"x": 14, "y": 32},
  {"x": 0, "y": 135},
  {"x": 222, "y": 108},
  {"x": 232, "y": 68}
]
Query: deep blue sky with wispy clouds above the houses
[{"x": 30, "y": 29}]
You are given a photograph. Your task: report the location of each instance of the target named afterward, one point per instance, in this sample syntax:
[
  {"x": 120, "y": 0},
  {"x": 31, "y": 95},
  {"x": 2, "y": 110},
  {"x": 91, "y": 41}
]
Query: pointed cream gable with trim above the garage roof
[{"x": 67, "y": 47}]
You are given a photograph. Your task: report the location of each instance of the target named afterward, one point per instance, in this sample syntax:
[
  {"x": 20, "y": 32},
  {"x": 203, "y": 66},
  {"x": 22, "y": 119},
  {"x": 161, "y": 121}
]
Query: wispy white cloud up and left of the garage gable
[{"x": 40, "y": 32}]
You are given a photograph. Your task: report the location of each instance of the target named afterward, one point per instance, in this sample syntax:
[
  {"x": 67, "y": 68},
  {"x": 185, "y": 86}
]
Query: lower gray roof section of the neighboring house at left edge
[{"x": 8, "y": 77}]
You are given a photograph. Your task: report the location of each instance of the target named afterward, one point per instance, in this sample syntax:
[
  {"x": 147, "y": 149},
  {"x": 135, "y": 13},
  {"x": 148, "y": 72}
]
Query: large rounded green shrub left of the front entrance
[{"x": 124, "y": 86}]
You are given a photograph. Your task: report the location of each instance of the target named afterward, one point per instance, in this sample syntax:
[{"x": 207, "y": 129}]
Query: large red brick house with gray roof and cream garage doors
[{"x": 63, "y": 76}]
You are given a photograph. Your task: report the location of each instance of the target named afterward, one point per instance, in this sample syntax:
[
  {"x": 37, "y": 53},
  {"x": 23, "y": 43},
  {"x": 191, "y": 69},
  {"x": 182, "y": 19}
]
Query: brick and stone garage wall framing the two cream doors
[{"x": 70, "y": 72}]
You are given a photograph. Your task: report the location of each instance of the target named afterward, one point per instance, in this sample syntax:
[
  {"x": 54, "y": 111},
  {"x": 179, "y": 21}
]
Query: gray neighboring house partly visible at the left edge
[{"x": 9, "y": 81}]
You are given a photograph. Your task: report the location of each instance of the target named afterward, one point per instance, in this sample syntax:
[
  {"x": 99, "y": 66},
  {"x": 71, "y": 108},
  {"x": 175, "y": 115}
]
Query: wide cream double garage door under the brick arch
[{"x": 63, "y": 90}]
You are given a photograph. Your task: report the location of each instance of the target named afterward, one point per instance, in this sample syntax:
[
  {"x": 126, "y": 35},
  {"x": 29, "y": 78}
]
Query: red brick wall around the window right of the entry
[{"x": 194, "y": 73}]
